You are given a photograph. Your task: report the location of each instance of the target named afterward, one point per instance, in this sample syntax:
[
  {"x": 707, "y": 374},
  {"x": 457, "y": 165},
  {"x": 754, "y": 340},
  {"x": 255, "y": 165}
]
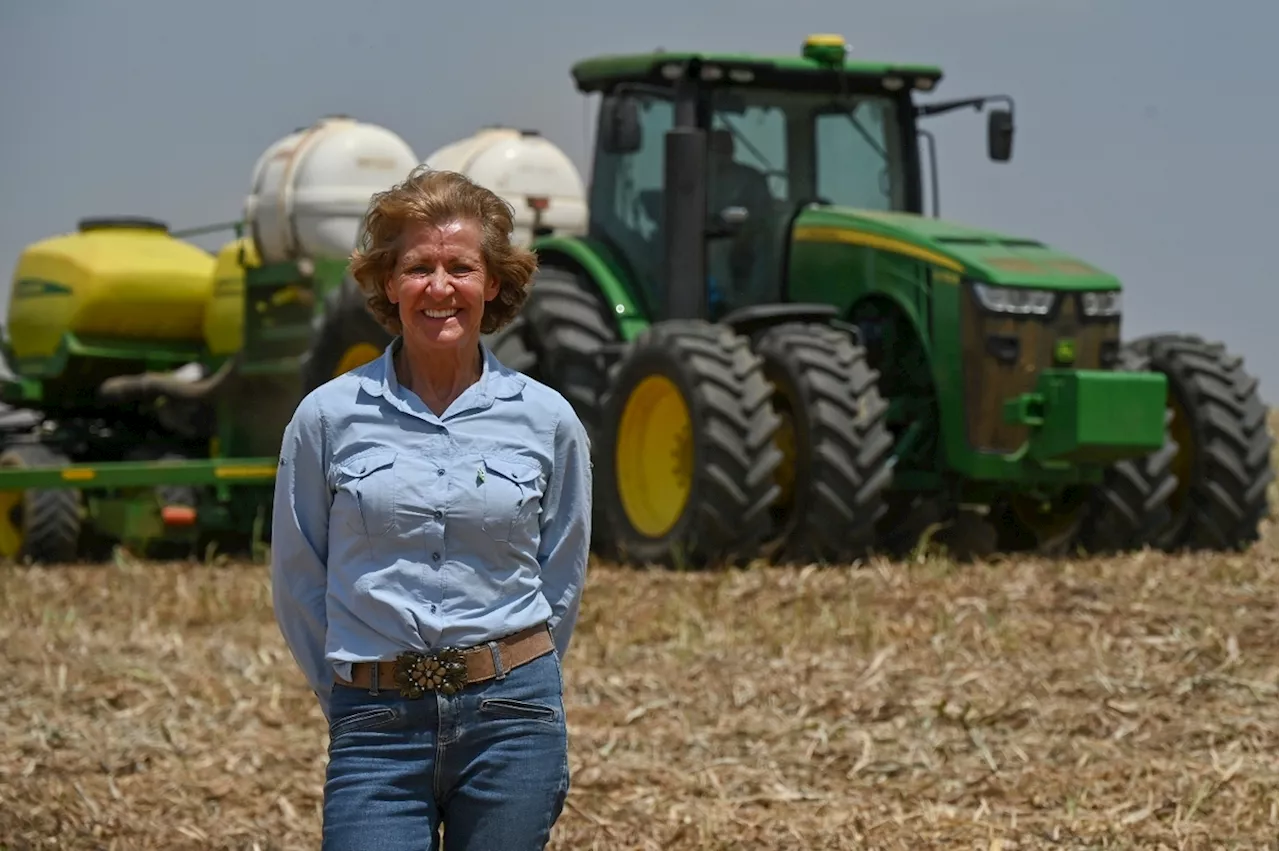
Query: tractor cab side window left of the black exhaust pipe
[{"x": 627, "y": 196}]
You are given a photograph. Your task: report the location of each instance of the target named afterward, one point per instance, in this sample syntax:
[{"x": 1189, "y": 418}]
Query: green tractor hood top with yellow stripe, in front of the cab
[{"x": 977, "y": 254}]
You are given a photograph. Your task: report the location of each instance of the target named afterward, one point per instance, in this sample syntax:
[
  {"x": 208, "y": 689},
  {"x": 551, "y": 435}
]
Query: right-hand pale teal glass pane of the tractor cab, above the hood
[{"x": 860, "y": 163}]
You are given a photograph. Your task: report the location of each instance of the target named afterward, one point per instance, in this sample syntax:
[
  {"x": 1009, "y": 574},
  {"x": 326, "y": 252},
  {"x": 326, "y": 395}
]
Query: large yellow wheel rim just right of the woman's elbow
[{"x": 655, "y": 456}]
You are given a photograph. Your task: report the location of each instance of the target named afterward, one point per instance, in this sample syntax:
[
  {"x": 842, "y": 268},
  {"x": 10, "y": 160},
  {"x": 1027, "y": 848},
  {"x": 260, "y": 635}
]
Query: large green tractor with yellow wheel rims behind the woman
[{"x": 780, "y": 355}]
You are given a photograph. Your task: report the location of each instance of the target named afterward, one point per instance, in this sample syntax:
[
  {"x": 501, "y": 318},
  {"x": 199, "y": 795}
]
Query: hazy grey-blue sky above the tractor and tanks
[{"x": 1146, "y": 138}]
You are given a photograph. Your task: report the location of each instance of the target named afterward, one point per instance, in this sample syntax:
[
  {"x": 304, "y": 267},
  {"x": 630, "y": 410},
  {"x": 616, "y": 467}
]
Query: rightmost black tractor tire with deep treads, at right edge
[{"x": 1224, "y": 449}]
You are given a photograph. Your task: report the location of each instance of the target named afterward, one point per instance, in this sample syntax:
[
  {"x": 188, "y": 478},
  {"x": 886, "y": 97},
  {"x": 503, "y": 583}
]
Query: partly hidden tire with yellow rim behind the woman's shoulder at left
[{"x": 346, "y": 337}]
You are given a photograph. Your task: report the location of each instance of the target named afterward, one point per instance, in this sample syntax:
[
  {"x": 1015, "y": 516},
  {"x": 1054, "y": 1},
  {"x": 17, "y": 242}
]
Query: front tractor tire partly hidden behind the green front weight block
[{"x": 1131, "y": 506}]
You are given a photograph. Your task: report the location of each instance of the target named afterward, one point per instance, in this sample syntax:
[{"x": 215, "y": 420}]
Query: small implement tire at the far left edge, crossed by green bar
[{"x": 49, "y": 532}]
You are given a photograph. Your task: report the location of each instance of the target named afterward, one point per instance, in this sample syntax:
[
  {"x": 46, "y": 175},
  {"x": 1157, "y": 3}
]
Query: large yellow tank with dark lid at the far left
[{"x": 122, "y": 280}]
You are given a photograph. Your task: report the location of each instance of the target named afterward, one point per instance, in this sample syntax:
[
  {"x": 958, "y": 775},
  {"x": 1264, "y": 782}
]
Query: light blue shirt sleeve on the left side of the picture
[{"x": 300, "y": 546}]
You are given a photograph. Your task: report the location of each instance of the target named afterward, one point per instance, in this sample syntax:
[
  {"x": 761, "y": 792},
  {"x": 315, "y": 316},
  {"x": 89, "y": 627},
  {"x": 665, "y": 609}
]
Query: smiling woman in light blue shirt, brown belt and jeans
[{"x": 429, "y": 543}]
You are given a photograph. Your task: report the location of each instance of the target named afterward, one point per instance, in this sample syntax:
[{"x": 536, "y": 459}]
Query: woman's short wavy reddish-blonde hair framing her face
[{"x": 435, "y": 198}]
